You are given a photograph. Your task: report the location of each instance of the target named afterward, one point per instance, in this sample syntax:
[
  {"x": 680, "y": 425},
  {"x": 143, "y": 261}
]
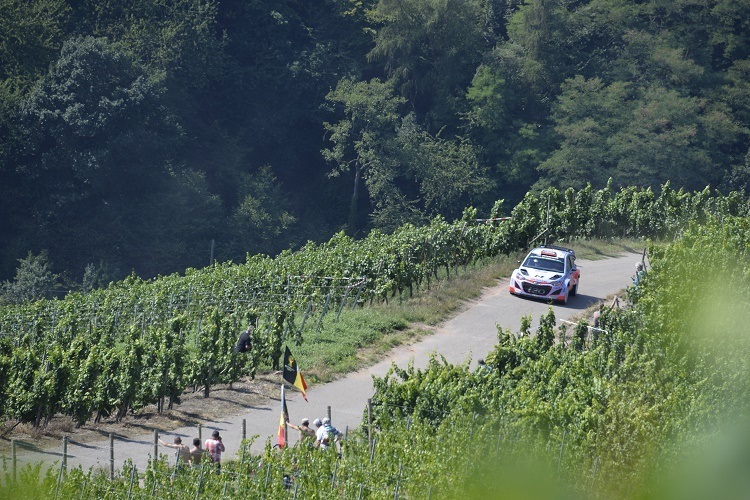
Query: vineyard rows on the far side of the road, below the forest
[{"x": 117, "y": 349}]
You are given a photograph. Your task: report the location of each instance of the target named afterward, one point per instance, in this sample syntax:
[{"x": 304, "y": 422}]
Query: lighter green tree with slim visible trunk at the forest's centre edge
[{"x": 409, "y": 173}]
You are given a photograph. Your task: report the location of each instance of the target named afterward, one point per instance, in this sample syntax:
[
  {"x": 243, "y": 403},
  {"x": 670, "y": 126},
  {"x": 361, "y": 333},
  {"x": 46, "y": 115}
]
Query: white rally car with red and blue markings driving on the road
[{"x": 549, "y": 273}]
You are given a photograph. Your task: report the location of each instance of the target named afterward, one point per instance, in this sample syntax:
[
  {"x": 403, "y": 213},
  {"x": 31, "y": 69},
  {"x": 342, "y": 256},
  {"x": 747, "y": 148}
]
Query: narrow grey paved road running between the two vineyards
[{"x": 469, "y": 335}]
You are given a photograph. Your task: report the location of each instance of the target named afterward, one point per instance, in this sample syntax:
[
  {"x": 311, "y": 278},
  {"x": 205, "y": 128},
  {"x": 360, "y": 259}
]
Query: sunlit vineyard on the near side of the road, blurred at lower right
[{"x": 558, "y": 413}]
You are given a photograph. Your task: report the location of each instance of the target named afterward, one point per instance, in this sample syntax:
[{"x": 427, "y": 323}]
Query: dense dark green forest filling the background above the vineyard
[{"x": 149, "y": 136}]
